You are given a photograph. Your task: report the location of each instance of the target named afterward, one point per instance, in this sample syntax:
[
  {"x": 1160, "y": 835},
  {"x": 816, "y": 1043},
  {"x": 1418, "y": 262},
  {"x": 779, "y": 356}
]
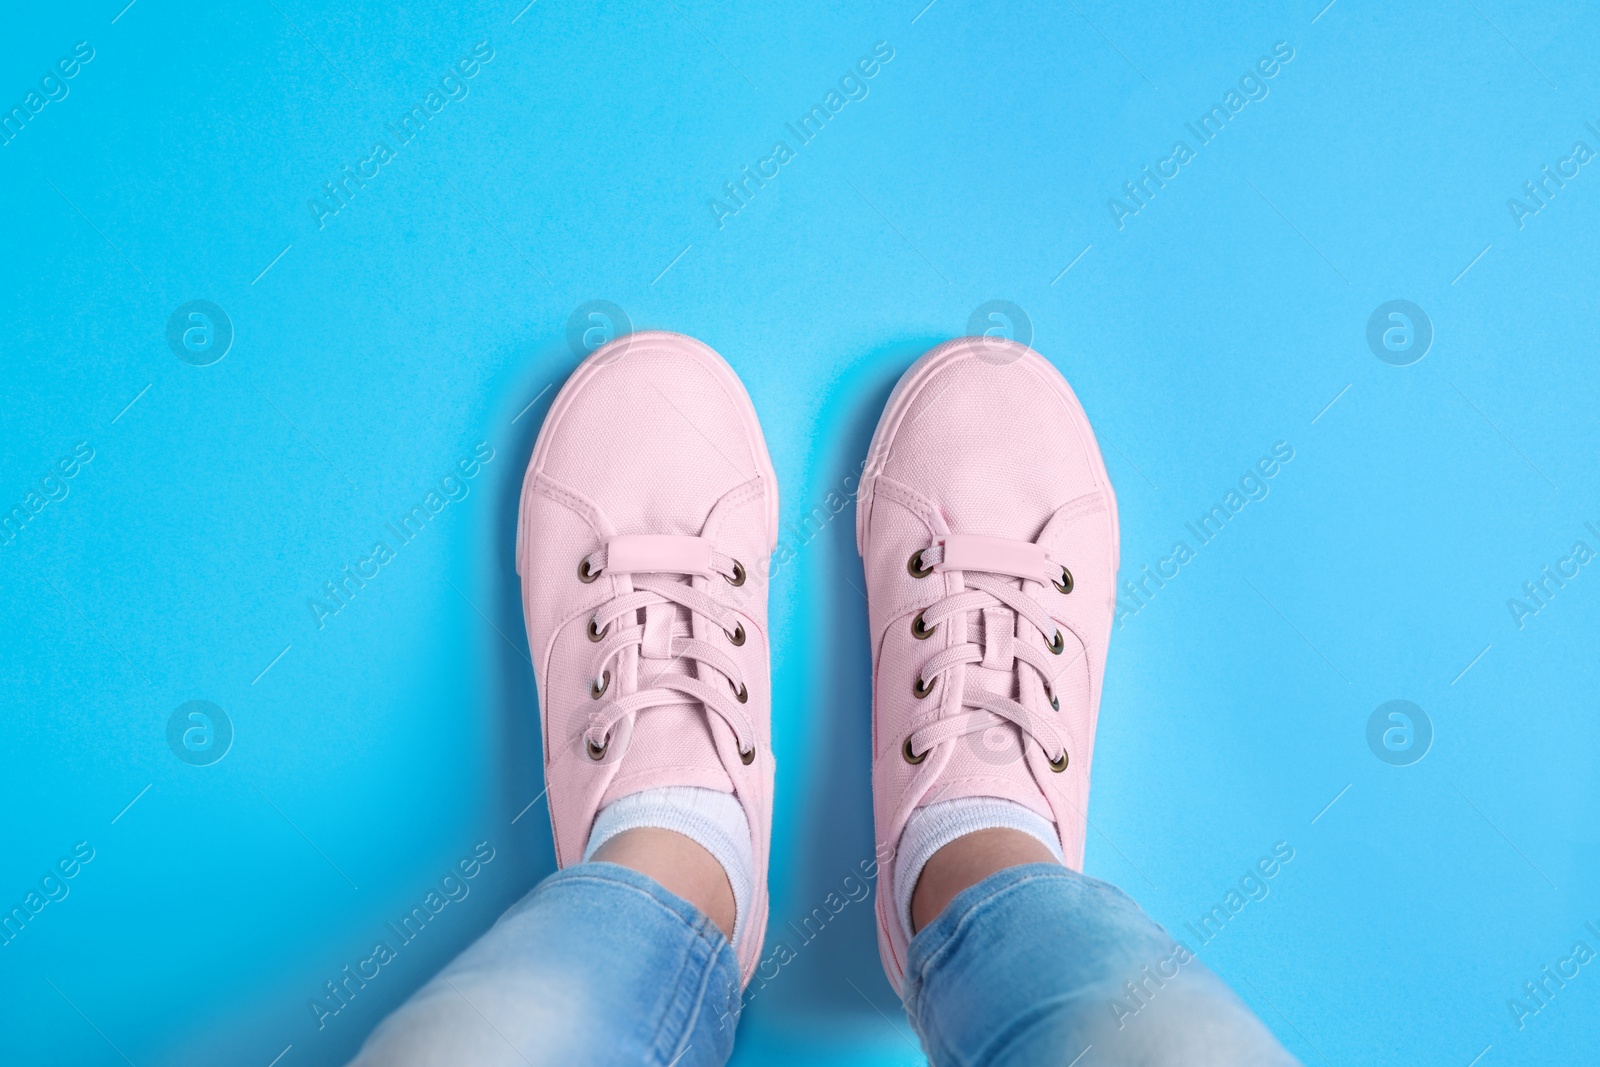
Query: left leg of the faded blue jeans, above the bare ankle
[{"x": 598, "y": 965}]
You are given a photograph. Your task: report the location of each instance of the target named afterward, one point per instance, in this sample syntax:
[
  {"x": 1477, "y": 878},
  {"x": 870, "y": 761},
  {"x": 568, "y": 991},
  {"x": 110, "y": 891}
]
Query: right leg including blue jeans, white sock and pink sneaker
[{"x": 988, "y": 530}]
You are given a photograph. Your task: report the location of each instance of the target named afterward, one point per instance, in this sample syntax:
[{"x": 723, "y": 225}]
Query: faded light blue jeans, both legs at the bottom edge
[{"x": 1034, "y": 965}]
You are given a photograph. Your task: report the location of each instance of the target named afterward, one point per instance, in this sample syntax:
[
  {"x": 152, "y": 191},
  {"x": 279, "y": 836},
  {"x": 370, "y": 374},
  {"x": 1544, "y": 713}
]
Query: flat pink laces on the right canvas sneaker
[{"x": 990, "y": 570}]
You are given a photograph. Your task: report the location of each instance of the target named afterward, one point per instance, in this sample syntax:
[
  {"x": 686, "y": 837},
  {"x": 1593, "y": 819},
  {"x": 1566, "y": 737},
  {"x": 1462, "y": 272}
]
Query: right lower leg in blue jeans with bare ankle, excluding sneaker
[{"x": 1038, "y": 964}]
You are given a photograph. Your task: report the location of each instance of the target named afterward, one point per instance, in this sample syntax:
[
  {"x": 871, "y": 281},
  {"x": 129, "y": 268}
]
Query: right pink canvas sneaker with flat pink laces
[{"x": 988, "y": 530}]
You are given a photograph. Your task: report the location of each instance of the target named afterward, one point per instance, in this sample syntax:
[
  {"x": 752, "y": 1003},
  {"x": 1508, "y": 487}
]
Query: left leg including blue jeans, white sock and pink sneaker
[{"x": 647, "y": 519}]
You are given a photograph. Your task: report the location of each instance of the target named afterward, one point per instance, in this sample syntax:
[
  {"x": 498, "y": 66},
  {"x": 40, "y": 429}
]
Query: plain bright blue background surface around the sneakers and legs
[{"x": 431, "y": 311}]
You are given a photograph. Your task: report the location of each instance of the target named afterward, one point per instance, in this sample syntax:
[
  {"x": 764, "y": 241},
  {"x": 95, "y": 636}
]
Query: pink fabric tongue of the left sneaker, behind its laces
[{"x": 673, "y": 743}]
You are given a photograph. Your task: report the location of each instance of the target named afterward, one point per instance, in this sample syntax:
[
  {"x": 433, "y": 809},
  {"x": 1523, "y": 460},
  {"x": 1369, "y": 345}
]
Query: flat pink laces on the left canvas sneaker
[{"x": 647, "y": 562}]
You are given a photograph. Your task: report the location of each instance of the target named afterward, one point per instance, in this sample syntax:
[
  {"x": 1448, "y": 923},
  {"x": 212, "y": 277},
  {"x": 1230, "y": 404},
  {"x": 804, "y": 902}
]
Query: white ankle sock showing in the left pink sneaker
[{"x": 713, "y": 820}]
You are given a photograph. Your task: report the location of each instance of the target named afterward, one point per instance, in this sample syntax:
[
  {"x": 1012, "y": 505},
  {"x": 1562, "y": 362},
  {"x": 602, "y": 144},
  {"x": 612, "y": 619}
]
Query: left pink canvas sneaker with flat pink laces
[{"x": 647, "y": 521}]
